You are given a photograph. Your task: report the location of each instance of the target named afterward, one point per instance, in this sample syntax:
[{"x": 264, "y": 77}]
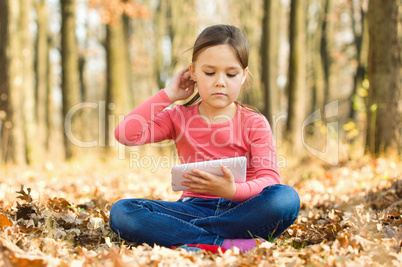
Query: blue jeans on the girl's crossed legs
[{"x": 205, "y": 221}]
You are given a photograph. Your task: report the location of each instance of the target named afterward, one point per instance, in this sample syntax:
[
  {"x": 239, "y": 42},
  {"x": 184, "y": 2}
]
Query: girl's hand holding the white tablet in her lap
[{"x": 205, "y": 182}]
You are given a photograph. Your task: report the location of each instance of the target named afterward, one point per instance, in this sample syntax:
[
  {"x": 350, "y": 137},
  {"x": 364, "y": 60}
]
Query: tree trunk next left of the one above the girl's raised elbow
[{"x": 70, "y": 82}]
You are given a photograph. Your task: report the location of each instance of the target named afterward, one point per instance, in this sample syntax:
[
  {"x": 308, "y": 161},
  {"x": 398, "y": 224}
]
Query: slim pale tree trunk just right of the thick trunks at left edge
[{"x": 42, "y": 76}]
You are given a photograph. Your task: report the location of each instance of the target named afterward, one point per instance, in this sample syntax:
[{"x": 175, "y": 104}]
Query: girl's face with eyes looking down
[{"x": 219, "y": 77}]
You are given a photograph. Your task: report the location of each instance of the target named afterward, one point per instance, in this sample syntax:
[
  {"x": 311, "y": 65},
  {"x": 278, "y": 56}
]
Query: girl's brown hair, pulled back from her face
[{"x": 218, "y": 35}]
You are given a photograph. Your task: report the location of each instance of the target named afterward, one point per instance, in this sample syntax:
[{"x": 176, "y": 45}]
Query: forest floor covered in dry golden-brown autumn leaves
[{"x": 57, "y": 215}]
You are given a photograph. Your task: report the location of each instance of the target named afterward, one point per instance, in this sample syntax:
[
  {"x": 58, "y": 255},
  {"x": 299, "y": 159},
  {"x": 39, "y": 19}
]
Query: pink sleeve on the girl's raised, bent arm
[{"x": 147, "y": 123}]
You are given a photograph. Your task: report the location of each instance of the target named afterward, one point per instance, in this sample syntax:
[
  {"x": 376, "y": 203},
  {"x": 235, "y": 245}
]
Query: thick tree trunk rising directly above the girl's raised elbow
[{"x": 117, "y": 80}]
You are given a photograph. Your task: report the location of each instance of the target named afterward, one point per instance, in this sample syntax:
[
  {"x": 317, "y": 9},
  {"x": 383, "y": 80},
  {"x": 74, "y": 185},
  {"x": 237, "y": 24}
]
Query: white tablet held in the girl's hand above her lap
[{"x": 237, "y": 165}]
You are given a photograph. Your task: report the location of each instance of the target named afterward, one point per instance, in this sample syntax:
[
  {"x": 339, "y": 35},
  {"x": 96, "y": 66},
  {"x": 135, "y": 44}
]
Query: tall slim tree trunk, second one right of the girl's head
[{"x": 297, "y": 75}]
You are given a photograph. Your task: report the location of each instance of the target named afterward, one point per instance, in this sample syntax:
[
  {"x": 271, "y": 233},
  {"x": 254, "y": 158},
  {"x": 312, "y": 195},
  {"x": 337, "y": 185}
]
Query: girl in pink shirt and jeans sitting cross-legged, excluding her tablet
[{"x": 214, "y": 210}]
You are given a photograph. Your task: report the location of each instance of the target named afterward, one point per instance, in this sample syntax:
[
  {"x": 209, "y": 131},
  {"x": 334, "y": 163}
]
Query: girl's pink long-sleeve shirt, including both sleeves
[{"x": 246, "y": 134}]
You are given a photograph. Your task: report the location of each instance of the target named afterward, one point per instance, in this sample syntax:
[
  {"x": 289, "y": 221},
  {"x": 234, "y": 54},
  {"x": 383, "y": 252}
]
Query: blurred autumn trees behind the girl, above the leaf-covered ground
[{"x": 325, "y": 73}]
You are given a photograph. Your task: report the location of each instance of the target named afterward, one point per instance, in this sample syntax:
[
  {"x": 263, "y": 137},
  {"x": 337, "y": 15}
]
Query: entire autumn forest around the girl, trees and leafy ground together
[{"x": 325, "y": 73}]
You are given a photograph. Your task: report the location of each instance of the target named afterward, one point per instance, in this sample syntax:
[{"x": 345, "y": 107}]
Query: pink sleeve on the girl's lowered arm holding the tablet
[{"x": 263, "y": 158}]
